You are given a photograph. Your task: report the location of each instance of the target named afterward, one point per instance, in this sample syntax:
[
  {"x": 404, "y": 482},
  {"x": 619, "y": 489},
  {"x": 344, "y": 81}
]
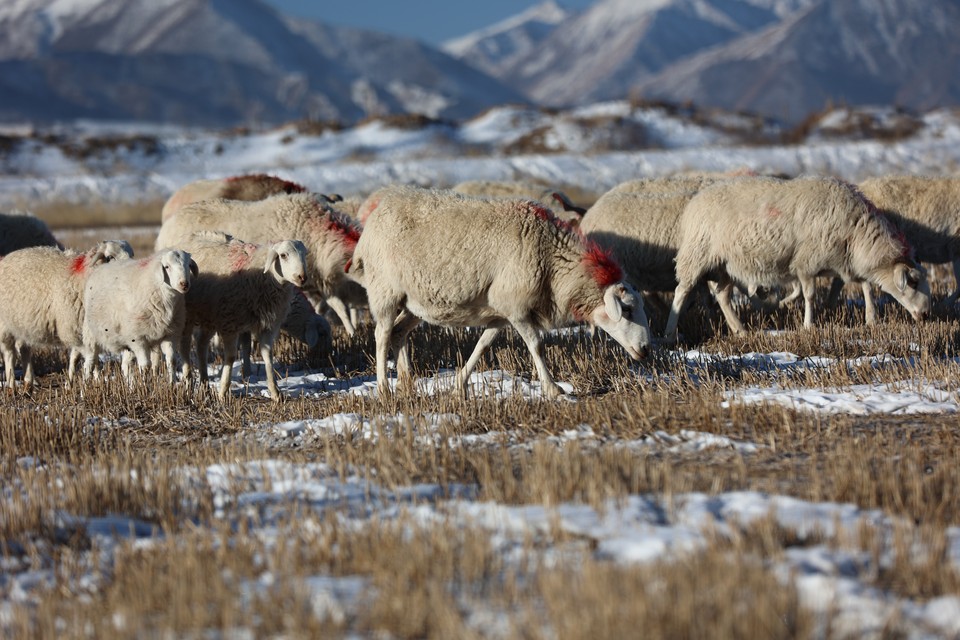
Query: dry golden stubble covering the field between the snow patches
[{"x": 69, "y": 453}]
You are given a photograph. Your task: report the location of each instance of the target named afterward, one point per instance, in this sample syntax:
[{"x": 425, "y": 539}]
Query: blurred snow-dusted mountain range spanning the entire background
[{"x": 239, "y": 62}]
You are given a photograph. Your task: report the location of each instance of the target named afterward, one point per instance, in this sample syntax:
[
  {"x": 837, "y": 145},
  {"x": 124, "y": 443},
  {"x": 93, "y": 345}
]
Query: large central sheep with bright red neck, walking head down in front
[{"x": 460, "y": 261}]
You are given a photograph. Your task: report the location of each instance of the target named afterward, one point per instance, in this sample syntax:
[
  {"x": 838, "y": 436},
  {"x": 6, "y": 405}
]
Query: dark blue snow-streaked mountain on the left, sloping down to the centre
[{"x": 218, "y": 62}]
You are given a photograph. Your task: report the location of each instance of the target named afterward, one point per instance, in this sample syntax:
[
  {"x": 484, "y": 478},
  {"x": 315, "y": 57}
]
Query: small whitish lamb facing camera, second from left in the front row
[{"x": 135, "y": 306}]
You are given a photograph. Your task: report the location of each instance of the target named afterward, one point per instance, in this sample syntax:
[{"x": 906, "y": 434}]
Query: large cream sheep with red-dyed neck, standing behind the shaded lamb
[{"x": 329, "y": 236}]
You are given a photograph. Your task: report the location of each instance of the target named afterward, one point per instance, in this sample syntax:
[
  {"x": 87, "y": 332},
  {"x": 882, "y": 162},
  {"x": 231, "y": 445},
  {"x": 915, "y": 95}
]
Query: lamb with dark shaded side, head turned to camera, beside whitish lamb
[{"x": 242, "y": 287}]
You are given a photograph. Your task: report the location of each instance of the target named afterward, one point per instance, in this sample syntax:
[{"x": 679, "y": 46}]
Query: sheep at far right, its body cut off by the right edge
[{"x": 927, "y": 211}]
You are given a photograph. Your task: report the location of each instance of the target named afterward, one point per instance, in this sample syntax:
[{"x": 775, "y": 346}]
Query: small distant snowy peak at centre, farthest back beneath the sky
[{"x": 496, "y": 48}]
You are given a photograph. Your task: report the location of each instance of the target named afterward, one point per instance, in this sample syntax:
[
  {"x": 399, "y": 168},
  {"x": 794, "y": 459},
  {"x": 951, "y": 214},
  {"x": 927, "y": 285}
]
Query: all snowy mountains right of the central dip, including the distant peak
[{"x": 781, "y": 58}]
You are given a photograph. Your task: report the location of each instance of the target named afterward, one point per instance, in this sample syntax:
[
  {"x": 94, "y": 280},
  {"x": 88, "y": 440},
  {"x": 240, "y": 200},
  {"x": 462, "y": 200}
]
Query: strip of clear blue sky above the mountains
[{"x": 431, "y": 21}]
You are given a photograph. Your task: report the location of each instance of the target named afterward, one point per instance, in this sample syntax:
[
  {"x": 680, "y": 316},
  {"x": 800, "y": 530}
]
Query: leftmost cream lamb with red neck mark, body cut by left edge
[{"x": 45, "y": 307}]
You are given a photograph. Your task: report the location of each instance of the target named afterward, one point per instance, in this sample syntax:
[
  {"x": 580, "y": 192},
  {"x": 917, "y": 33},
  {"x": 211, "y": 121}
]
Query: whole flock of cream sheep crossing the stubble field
[{"x": 244, "y": 258}]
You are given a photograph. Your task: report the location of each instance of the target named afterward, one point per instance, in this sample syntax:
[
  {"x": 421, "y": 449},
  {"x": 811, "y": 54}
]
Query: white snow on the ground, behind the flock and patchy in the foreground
[{"x": 637, "y": 529}]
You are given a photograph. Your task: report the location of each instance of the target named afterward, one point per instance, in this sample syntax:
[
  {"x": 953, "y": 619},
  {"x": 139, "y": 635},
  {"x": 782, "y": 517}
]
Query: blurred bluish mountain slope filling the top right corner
[{"x": 853, "y": 52}]
